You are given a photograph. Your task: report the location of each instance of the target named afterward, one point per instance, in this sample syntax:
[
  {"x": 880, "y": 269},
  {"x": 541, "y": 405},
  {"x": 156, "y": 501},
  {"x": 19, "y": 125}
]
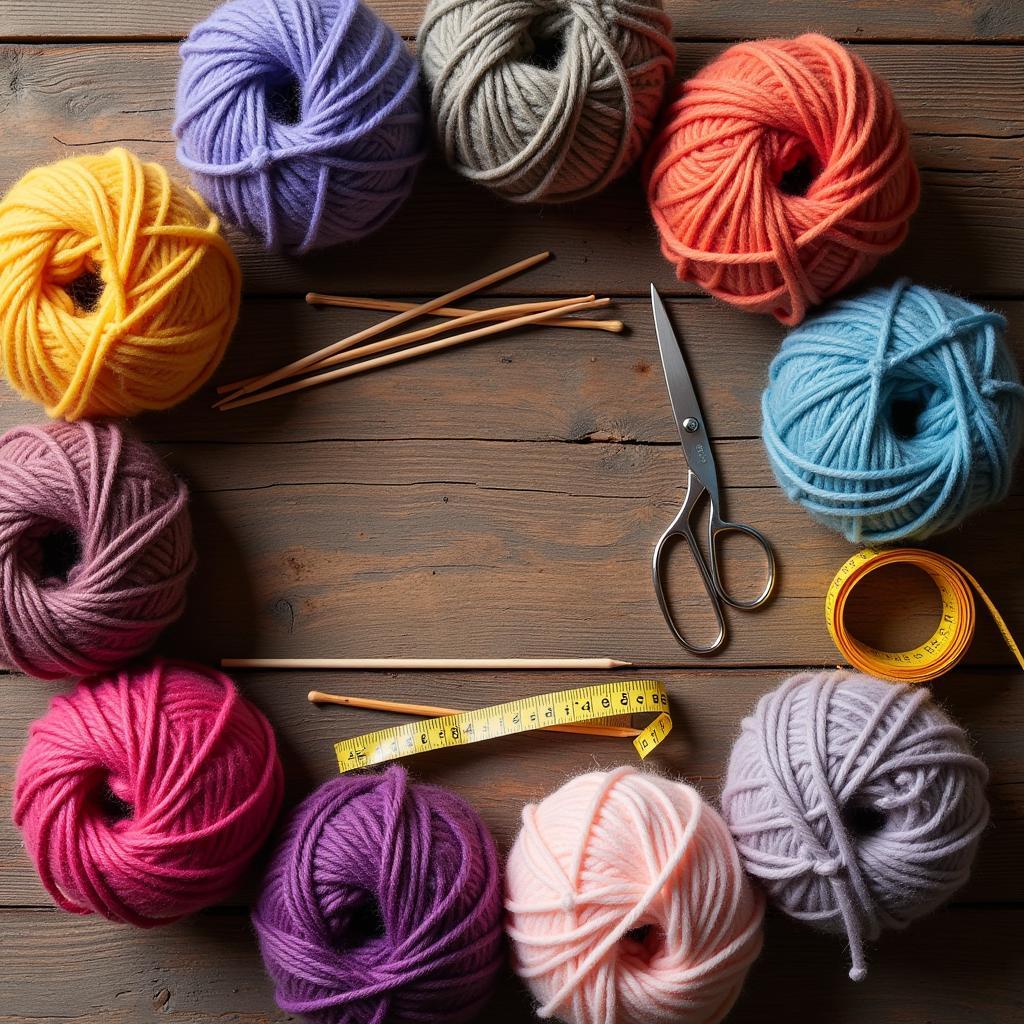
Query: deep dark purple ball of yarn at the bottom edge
[{"x": 382, "y": 905}]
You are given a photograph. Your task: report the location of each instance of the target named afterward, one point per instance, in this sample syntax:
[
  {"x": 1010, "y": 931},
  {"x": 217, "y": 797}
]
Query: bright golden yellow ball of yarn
[{"x": 117, "y": 292}]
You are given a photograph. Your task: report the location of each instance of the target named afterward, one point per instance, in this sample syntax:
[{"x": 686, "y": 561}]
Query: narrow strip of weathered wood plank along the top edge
[{"x": 863, "y": 20}]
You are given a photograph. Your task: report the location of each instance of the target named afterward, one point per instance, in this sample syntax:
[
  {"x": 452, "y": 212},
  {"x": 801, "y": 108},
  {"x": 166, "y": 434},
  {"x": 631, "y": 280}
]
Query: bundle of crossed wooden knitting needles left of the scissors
[{"x": 361, "y": 357}]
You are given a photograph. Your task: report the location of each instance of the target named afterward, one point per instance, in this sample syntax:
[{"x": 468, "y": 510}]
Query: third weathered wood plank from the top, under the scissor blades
[{"x": 544, "y": 385}]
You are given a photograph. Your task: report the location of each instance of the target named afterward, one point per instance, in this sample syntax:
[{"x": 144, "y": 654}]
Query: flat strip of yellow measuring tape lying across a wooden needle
[{"x": 576, "y": 707}]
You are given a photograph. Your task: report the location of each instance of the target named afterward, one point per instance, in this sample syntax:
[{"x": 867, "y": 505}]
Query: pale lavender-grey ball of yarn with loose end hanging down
[{"x": 858, "y": 803}]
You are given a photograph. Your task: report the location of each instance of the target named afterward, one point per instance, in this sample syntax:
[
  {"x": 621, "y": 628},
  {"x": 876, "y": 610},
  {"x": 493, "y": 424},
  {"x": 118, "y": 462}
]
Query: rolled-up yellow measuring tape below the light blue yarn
[{"x": 953, "y": 635}]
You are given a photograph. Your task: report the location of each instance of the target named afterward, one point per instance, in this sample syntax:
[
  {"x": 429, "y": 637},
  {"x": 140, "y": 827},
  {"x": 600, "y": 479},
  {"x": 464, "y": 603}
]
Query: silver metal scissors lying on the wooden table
[{"x": 702, "y": 479}]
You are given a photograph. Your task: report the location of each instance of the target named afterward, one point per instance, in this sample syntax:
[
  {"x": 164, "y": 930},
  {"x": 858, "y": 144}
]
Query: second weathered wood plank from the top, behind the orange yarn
[{"x": 965, "y": 105}]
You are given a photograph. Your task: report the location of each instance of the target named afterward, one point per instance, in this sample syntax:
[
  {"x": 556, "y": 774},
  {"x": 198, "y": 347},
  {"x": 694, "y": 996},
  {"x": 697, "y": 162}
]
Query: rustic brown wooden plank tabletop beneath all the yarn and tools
[{"x": 503, "y": 499}]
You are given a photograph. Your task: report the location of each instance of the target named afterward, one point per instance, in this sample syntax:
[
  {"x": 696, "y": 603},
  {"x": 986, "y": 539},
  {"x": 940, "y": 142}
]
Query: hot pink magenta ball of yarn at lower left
[{"x": 143, "y": 796}]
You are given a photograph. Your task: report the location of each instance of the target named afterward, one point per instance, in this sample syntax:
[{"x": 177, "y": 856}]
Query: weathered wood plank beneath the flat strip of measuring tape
[{"x": 501, "y": 777}]
